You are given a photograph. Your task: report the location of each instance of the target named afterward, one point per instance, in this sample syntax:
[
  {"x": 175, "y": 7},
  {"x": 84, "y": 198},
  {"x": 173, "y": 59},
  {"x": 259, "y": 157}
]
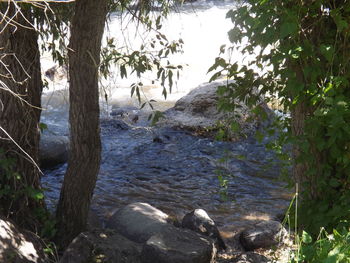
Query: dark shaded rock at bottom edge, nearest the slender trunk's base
[{"x": 102, "y": 245}]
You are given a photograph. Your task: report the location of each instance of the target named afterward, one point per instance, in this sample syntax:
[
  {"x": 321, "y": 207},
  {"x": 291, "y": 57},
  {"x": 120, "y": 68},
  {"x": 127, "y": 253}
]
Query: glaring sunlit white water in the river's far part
[{"x": 203, "y": 28}]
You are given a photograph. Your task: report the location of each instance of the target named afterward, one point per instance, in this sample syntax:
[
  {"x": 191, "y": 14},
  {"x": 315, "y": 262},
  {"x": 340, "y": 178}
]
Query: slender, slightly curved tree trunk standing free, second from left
[{"x": 83, "y": 166}]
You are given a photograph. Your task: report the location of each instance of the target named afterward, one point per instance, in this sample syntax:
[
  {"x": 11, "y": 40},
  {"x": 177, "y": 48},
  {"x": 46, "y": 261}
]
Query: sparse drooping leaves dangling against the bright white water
[{"x": 151, "y": 56}]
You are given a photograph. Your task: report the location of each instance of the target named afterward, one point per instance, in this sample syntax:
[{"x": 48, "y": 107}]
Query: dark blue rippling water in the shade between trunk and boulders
[{"x": 176, "y": 172}]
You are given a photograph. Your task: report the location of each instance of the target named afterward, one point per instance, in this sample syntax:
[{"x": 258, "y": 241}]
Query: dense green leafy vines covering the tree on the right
[{"x": 298, "y": 53}]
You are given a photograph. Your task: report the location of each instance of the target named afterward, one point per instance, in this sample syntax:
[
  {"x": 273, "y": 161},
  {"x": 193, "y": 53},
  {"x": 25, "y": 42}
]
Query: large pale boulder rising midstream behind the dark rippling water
[{"x": 197, "y": 111}]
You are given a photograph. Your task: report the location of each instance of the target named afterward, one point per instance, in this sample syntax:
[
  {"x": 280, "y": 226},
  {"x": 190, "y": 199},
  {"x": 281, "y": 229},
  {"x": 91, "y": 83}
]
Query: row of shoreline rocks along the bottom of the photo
[{"x": 141, "y": 233}]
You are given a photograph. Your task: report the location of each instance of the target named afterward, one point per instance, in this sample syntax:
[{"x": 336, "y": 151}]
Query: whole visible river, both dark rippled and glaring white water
[{"x": 172, "y": 169}]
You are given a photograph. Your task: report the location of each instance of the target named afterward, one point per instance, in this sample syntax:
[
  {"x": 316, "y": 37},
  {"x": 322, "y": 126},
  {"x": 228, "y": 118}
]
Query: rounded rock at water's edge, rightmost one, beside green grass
[{"x": 265, "y": 234}]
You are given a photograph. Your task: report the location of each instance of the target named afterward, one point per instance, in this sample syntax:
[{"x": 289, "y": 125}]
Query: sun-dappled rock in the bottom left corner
[{"x": 17, "y": 246}]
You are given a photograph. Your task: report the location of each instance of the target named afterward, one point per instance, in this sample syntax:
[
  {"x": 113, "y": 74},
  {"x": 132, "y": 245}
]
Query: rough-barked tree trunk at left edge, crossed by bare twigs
[{"x": 20, "y": 95}]
